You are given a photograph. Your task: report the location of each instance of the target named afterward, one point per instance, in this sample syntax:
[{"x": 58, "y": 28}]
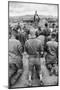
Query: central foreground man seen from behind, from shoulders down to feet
[{"x": 33, "y": 48}]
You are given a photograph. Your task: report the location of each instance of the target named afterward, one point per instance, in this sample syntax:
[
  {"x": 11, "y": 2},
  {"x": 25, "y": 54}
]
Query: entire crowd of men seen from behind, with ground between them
[{"x": 35, "y": 52}]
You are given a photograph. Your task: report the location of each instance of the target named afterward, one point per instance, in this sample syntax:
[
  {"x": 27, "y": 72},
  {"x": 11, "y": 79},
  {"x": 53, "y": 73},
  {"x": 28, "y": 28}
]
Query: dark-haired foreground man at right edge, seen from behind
[{"x": 52, "y": 49}]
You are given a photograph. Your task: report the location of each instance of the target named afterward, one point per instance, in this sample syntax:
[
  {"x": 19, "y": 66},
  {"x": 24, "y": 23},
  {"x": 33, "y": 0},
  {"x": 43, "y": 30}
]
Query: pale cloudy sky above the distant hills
[{"x": 20, "y": 9}]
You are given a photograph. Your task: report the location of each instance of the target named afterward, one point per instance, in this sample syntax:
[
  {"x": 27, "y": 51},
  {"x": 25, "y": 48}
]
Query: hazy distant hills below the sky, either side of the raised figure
[{"x": 20, "y": 18}]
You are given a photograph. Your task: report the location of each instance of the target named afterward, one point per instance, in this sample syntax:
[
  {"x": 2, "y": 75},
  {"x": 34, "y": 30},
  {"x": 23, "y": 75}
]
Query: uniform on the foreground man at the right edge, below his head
[{"x": 51, "y": 56}]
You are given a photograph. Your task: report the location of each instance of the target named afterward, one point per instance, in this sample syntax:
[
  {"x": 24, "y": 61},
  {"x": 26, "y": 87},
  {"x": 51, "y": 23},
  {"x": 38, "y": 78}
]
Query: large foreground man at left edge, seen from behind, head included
[{"x": 15, "y": 59}]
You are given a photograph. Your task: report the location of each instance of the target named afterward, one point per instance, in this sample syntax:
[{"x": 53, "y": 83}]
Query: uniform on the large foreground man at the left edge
[{"x": 15, "y": 58}]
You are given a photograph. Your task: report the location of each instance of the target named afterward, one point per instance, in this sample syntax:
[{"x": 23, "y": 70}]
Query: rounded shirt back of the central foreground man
[{"x": 33, "y": 46}]
